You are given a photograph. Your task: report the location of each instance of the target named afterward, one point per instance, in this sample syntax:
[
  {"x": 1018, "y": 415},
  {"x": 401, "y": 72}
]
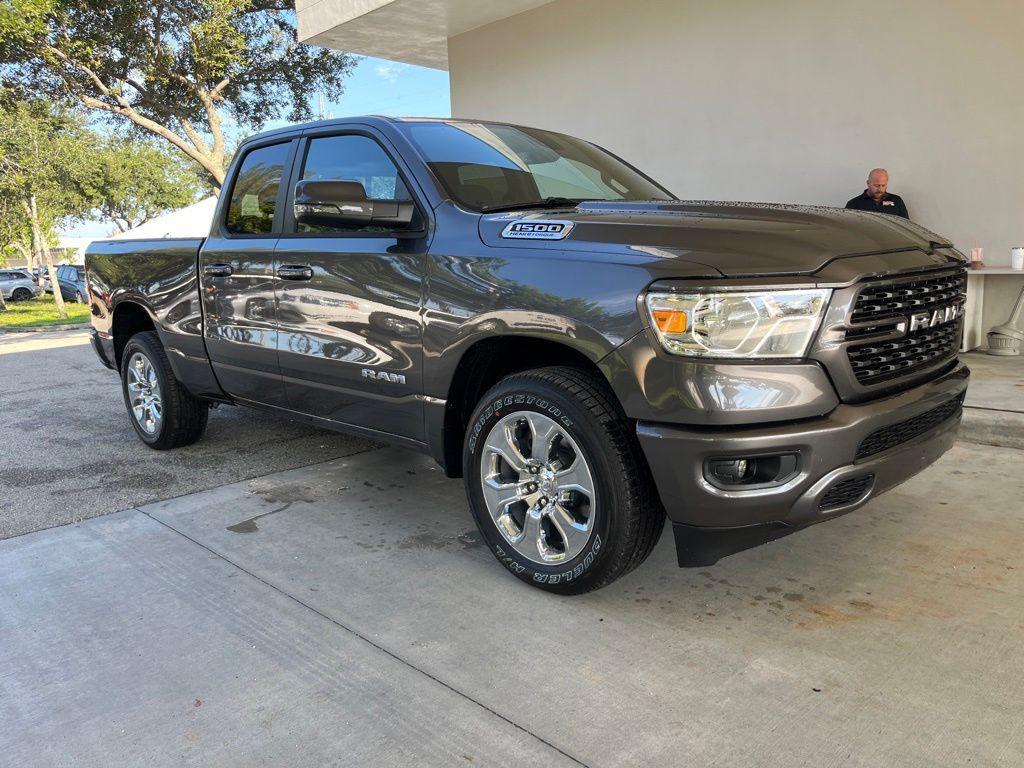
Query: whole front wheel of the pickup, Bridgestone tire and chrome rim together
[{"x": 558, "y": 483}]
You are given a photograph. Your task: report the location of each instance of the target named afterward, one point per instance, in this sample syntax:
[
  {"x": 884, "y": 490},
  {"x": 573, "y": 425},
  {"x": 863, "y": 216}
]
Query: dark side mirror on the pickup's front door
[{"x": 345, "y": 205}]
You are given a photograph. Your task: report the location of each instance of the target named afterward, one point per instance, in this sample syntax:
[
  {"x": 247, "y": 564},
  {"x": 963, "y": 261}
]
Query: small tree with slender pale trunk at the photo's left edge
[{"x": 47, "y": 156}]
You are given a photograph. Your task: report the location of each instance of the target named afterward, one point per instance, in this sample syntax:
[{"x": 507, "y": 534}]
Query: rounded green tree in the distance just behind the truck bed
[{"x": 137, "y": 181}]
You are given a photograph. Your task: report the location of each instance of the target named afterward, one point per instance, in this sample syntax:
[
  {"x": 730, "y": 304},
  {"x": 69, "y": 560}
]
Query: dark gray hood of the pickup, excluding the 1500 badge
[{"x": 735, "y": 239}]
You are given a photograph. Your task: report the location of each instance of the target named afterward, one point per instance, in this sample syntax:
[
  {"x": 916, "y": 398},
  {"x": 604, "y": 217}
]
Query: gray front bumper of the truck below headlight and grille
[{"x": 844, "y": 460}]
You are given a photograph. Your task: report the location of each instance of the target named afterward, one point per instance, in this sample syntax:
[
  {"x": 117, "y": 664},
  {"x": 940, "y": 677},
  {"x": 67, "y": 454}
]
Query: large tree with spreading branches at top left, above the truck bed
[{"x": 177, "y": 69}]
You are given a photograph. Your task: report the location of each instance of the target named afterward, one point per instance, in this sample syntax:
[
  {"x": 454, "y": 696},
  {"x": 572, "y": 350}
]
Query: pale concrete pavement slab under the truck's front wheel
[{"x": 346, "y": 614}]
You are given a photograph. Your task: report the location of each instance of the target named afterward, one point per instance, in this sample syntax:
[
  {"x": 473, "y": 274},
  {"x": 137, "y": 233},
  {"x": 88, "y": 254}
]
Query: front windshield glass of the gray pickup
[{"x": 492, "y": 167}]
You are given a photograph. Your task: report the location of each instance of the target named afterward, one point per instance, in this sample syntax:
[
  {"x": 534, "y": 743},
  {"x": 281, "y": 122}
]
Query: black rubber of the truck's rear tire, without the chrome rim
[{"x": 184, "y": 417}]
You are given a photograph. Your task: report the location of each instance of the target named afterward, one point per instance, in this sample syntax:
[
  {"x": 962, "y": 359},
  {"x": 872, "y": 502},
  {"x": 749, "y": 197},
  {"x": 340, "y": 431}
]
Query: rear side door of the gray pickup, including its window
[{"x": 238, "y": 282}]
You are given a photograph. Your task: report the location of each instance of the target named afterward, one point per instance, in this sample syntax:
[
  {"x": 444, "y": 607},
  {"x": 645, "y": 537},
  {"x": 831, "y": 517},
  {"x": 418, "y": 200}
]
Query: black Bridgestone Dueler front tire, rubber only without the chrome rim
[{"x": 629, "y": 514}]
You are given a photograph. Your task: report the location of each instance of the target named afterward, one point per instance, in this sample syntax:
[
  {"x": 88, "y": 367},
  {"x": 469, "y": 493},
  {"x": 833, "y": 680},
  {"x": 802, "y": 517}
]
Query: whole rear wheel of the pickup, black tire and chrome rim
[{"x": 163, "y": 413}]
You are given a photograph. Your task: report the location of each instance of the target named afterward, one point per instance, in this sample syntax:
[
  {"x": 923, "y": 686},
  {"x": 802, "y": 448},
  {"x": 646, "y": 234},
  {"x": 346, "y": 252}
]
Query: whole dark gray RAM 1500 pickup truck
[{"x": 590, "y": 354}]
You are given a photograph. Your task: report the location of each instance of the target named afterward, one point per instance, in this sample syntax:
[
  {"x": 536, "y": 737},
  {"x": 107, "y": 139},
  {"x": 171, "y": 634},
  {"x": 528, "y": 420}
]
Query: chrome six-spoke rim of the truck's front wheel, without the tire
[{"x": 538, "y": 488}]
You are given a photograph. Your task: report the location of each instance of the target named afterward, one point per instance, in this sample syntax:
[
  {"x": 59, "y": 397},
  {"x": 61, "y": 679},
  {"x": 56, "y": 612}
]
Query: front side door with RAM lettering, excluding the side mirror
[{"x": 350, "y": 297}]
